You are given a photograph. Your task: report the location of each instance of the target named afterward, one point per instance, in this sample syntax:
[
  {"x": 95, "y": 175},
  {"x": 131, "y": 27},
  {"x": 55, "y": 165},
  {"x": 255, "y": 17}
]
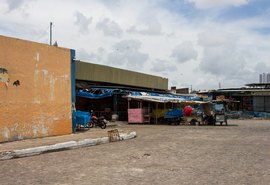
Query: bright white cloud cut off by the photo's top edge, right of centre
[{"x": 205, "y": 4}]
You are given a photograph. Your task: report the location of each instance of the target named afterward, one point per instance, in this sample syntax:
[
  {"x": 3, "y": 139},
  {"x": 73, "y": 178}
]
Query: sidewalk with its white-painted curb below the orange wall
[{"x": 82, "y": 138}]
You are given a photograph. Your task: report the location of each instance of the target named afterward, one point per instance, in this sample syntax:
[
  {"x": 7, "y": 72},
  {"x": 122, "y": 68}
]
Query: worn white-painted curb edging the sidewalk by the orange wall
[{"x": 60, "y": 147}]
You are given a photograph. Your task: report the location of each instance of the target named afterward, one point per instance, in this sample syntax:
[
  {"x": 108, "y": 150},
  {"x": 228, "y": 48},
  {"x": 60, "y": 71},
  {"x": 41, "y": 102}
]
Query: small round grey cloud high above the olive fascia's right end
[{"x": 184, "y": 52}]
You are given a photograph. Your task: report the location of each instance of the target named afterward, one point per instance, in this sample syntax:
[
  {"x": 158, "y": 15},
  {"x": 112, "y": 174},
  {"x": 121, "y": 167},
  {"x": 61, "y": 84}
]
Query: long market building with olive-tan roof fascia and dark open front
[{"x": 101, "y": 88}]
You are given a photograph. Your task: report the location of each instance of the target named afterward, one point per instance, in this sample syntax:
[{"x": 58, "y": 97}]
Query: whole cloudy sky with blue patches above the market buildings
[{"x": 198, "y": 43}]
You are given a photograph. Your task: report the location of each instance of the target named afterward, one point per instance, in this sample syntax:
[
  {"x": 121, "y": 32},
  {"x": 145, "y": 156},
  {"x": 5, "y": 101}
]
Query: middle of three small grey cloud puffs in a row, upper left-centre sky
[{"x": 110, "y": 28}]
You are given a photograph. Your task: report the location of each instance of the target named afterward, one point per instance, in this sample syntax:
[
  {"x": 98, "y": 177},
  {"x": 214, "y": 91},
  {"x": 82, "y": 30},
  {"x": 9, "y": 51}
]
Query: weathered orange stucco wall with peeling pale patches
[{"x": 39, "y": 103}]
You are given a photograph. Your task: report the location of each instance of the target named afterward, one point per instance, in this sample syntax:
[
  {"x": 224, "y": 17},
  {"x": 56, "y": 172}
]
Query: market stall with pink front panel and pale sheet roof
[{"x": 155, "y": 108}]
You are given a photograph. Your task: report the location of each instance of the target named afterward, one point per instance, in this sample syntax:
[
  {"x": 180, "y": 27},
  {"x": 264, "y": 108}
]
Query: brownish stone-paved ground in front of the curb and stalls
[{"x": 236, "y": 154}]
